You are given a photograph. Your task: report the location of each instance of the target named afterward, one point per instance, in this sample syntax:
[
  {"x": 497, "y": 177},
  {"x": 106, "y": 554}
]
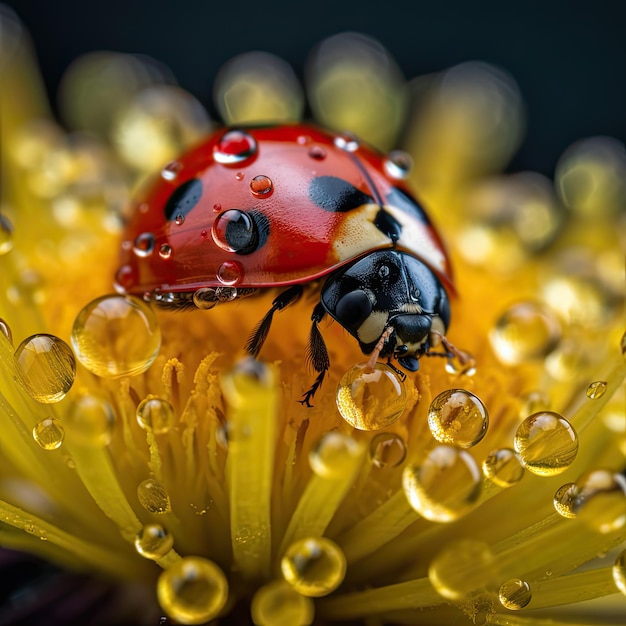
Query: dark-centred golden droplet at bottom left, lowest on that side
[{"x": 192, "y": 591}]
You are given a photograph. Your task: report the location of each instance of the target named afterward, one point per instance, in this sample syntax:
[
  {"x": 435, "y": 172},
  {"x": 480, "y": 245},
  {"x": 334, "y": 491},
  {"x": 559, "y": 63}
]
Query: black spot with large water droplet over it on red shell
[{"x": 239, "y": 231}]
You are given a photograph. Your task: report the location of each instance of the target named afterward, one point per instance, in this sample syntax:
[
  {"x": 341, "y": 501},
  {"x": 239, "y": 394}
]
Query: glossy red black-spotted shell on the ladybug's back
[{"x": 270, "y": 206}]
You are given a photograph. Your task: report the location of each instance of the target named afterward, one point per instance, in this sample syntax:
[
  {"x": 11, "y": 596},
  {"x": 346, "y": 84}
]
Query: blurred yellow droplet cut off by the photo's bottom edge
[{"x": 279, "y": 604}]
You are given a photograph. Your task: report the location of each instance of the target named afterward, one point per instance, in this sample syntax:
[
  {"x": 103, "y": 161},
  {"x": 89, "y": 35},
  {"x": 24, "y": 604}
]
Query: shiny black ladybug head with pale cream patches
[{"x": 388, "y": 289}]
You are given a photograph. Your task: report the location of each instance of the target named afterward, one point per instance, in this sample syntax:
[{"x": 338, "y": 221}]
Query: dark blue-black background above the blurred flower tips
[{"x": 569, "y": 58}]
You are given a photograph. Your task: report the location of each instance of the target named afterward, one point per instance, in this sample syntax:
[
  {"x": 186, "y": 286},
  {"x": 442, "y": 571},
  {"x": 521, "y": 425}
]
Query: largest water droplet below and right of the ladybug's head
[{"x": 444, "y": 486}]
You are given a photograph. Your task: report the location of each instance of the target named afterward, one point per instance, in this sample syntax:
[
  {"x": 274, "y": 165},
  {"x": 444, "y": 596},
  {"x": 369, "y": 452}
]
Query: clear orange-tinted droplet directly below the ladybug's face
[{"x": 371, "y": 399}]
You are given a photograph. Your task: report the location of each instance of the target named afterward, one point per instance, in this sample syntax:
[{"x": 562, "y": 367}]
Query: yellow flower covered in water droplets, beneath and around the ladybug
[{"x": 163, "y": 459}]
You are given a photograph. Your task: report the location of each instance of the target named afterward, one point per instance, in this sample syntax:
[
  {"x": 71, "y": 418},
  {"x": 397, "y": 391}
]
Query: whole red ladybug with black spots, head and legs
[{"x": 254, "y": 208}]
